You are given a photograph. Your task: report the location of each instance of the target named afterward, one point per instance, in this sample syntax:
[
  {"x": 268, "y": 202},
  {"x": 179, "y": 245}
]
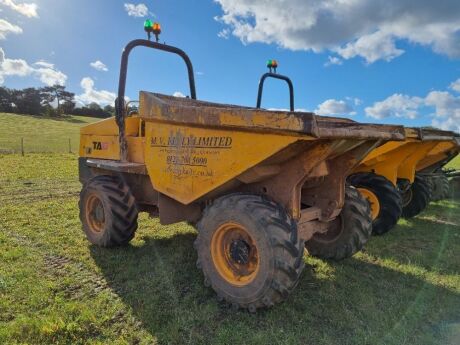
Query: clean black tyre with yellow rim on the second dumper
[{"x": 384, "y": 199}]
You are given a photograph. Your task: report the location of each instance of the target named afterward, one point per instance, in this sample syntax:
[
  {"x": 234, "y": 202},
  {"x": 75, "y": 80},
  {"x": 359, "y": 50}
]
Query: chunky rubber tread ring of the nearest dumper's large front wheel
[{"x": 283, "y": 238}]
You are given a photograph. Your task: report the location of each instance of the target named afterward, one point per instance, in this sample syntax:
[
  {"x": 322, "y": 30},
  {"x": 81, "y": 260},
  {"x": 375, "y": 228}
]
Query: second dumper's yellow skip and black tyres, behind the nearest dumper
[{"x": 396, "y": 177}]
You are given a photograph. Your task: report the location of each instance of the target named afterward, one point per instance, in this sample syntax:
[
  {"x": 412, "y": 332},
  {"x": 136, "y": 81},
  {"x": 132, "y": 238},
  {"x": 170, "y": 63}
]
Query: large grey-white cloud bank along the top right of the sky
[{"x": 369, "y": 29}]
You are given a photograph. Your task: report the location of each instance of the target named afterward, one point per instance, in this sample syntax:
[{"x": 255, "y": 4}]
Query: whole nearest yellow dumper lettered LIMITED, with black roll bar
[{"x": 256, "y": 184}]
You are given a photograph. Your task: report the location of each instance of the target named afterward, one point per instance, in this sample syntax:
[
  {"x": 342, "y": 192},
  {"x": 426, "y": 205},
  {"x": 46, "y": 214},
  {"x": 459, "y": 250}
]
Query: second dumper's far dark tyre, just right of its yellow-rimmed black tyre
[{"x": 416, "y": 198}]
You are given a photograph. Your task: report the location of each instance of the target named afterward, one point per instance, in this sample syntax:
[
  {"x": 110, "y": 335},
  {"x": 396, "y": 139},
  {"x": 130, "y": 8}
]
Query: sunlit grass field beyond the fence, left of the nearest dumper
[{"x": 40, "y": 134}]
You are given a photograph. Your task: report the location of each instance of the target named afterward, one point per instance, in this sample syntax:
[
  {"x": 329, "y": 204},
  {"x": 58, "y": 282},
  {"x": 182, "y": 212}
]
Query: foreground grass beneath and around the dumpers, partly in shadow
[{"x": 56, "y": 288}]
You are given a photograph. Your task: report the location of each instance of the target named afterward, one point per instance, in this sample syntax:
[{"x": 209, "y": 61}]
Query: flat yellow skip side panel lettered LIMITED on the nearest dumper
[{"x": 187, "y": 162}]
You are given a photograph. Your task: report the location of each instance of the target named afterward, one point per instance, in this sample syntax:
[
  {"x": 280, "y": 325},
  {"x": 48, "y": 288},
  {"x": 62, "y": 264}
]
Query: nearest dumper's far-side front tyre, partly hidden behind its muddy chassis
[{"x": 348, "y": 233}]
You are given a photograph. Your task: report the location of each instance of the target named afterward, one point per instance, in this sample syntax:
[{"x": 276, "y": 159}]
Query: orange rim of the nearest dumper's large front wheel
[{"x": 234, "y": 254}]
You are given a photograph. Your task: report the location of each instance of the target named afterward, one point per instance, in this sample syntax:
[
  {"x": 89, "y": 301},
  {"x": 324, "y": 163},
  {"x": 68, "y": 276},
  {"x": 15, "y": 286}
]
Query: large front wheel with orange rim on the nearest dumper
[{"x": 249, "y": 251}]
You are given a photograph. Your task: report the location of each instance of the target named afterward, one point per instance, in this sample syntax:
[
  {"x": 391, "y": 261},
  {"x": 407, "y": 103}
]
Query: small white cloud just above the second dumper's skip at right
[{"x": 397, "y": 105}]
